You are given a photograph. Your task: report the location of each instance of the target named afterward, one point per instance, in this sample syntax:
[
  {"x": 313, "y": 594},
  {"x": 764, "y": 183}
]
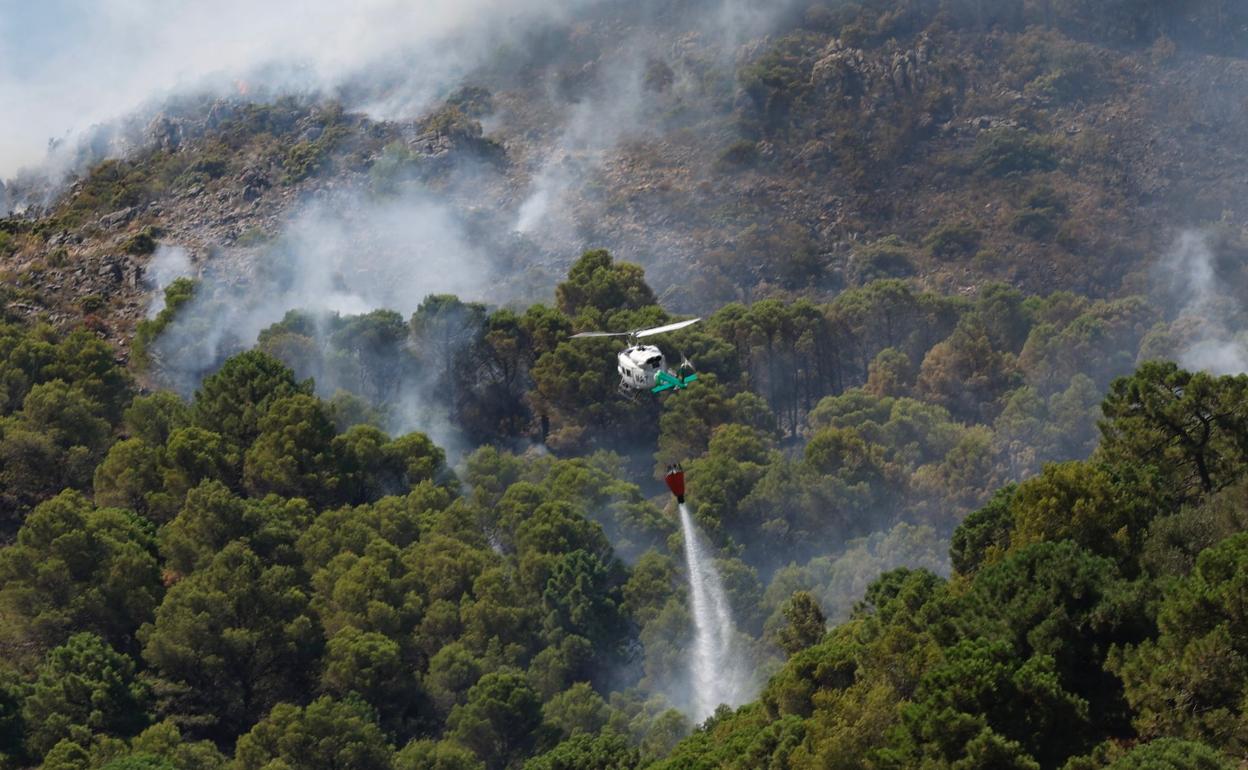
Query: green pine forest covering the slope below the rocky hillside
[{"x": 265, "y": 577}]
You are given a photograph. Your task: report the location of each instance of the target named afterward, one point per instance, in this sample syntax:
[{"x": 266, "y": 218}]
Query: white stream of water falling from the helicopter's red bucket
[{"x": 721, "y": 675}]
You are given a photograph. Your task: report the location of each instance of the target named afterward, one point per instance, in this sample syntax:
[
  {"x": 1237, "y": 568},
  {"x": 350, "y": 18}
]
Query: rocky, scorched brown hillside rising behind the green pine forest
[{"x": 846, "y": 145}]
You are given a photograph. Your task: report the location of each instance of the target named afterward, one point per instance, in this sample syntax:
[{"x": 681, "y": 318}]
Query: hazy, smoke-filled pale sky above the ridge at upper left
[{"x": 69, "y": 64}]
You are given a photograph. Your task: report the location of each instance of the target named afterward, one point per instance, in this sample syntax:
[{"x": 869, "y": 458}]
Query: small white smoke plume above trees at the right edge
[{"x": 1190, "y": 276}]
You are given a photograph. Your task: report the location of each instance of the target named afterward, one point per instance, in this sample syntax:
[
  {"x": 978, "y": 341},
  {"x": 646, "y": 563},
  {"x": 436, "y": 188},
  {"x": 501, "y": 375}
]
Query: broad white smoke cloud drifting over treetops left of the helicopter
[{"x": 343, "y": 255}]
